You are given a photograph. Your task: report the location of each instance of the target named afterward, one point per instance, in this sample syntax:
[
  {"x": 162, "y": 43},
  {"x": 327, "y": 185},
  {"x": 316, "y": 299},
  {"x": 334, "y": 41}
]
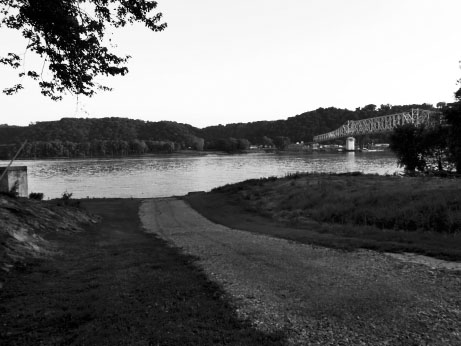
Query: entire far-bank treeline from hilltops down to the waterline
[{"x": 79, "y": 137}]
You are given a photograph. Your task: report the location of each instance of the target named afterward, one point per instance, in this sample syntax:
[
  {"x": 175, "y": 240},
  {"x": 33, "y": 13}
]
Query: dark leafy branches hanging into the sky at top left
[{"x": 69, "y": 35}]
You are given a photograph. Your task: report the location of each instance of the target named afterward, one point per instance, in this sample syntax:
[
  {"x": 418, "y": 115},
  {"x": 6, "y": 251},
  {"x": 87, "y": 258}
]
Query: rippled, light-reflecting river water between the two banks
[{"x": 167, "y": 175}]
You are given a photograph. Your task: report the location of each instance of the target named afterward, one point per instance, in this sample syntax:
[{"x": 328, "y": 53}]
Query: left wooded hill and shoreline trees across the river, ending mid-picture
[{"x": 70, "y": 137}]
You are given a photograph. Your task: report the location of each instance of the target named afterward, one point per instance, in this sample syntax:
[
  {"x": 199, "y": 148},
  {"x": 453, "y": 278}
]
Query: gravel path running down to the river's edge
[{"x": 318, "y": 296}]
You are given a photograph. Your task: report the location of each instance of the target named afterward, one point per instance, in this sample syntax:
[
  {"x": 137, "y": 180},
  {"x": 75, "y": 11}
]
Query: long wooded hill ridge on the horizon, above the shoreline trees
[{"x": 301, "y": 127}]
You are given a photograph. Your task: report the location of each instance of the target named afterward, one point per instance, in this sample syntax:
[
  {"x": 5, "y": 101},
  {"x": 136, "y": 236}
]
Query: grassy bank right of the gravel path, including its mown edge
[{"x": 384, "y": 213}]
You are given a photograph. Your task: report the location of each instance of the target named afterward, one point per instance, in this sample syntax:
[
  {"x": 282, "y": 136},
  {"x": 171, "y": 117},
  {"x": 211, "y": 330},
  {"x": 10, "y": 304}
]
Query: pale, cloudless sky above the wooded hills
[{"x": 221, "y": 62}]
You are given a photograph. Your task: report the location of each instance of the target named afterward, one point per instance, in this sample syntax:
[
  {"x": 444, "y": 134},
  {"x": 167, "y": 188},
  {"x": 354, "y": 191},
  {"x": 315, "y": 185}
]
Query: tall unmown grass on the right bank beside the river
[{"x": 408, "y": 204}]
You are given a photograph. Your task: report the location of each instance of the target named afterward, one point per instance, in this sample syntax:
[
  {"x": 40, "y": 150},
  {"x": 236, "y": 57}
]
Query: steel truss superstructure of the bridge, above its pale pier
[{"x": 385, "y": 123}]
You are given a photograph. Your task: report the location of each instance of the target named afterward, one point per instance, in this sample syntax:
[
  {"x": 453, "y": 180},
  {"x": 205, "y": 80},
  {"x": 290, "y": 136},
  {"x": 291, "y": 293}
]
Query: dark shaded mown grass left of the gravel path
[{"x": 114, "y": 284}]
